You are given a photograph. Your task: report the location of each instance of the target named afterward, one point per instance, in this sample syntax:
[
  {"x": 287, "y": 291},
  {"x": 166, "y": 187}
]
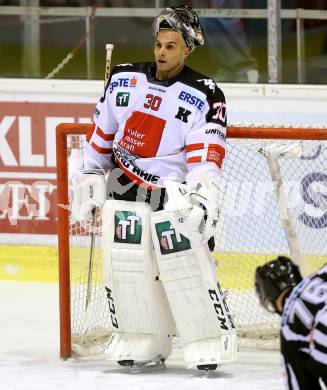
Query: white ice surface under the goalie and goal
[{"x": 29, "y": 355}]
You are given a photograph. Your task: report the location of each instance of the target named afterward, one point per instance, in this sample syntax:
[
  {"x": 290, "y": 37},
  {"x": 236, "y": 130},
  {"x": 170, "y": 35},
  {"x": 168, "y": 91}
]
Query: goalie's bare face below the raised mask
[{"x": 170, "y": 52}]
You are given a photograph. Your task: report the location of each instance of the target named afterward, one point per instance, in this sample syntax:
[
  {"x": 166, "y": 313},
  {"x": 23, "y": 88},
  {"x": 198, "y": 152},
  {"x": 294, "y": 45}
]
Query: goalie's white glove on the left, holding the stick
[{"x": 89, "y": 192}]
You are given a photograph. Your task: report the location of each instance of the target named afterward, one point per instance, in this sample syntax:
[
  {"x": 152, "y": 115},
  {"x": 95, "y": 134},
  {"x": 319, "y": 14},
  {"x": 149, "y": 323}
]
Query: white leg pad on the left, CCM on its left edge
[{"x": 140, "y": 313}]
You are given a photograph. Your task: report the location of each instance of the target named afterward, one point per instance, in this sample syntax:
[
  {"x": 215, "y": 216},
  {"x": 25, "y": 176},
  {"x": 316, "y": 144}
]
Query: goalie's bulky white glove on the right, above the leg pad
[{"x": 195, "y": 207}]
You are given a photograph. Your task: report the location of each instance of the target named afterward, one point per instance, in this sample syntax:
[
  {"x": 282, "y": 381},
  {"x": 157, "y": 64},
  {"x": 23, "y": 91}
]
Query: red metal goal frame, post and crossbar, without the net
[{"x": 65, "y": 129}]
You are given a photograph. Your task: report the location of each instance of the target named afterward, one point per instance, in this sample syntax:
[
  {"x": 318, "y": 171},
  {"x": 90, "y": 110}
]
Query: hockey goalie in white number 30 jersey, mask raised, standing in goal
[{"x": 152, "y": 163}]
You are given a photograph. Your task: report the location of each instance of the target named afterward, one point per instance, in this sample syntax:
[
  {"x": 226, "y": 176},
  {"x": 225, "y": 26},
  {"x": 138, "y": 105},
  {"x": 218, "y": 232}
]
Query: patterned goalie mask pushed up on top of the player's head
[{"x": 182, "y": 19}]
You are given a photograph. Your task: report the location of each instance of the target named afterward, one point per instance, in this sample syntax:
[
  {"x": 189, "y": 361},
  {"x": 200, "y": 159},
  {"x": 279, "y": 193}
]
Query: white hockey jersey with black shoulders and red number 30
[{"x": 157, "y": 130}]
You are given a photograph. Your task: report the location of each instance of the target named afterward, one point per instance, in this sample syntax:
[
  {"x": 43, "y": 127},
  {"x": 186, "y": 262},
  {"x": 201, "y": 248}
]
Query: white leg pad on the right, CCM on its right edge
[{"x": 197, "y": 302}]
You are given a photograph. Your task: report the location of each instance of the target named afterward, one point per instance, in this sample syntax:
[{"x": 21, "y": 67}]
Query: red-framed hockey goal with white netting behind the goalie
[{"x": 264, "y": 166}]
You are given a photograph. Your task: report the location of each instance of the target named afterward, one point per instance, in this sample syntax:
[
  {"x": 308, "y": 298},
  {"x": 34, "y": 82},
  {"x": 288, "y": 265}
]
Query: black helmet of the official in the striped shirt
[{"x": 275, "y": 277}]
